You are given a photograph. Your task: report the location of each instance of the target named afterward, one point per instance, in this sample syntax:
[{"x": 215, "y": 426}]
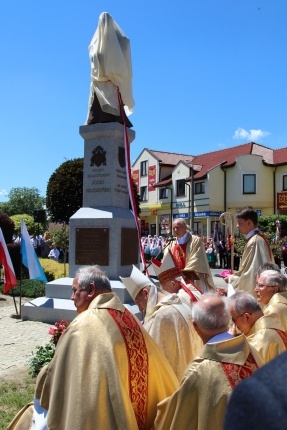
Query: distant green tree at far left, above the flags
[{"x": 23, "y": 201}]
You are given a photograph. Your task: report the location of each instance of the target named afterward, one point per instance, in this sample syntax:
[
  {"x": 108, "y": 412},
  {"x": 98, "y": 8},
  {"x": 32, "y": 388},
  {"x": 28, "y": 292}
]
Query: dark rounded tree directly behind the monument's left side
[{"x": 65, "y": 190}]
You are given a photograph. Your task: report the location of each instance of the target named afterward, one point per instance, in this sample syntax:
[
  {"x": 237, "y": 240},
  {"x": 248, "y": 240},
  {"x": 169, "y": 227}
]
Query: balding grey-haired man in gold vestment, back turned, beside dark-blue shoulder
[{"x": 201, "y": 400}]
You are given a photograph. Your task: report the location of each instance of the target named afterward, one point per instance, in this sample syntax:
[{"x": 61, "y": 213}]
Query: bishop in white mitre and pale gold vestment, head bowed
[{"x": 167, "y": 320}]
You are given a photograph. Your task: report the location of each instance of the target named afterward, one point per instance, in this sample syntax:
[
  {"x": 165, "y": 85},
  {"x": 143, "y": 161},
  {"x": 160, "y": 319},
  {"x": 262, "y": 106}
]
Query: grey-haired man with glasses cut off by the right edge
[{"x": 272, "y": 295}]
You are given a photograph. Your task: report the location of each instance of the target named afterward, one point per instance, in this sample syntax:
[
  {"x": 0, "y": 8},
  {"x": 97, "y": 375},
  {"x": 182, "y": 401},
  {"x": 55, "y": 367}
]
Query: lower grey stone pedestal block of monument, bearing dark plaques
[{"x": 105, "y": 236}]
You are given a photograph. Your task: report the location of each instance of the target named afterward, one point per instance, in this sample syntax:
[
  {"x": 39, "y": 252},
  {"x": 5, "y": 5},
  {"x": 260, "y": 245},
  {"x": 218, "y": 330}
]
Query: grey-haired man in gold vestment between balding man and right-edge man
[{"x": 264, "y": 333}]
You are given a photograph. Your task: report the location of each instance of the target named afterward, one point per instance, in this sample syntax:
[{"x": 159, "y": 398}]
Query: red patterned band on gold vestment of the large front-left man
[{"x": 138, "y": 363}]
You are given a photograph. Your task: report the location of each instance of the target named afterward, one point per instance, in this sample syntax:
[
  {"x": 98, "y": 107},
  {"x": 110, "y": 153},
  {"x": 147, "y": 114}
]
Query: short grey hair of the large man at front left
[{"x": 93, "y": 275}]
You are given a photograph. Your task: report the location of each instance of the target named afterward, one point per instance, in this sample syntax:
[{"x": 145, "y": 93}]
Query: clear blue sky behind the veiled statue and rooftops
[{"x": 207, "y": 75}]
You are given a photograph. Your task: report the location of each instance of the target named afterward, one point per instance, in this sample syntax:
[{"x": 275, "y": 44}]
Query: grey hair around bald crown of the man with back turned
[{"x": 211, "y": 316}]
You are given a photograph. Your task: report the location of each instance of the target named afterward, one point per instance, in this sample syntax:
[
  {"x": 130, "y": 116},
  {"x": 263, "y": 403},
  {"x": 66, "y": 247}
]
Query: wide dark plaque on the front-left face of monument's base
[{"x": 92, "y": 246}]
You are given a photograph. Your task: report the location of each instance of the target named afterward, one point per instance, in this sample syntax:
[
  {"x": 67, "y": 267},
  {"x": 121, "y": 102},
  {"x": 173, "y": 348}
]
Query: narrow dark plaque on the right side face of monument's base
[{"x": 129, "y": 246}]
